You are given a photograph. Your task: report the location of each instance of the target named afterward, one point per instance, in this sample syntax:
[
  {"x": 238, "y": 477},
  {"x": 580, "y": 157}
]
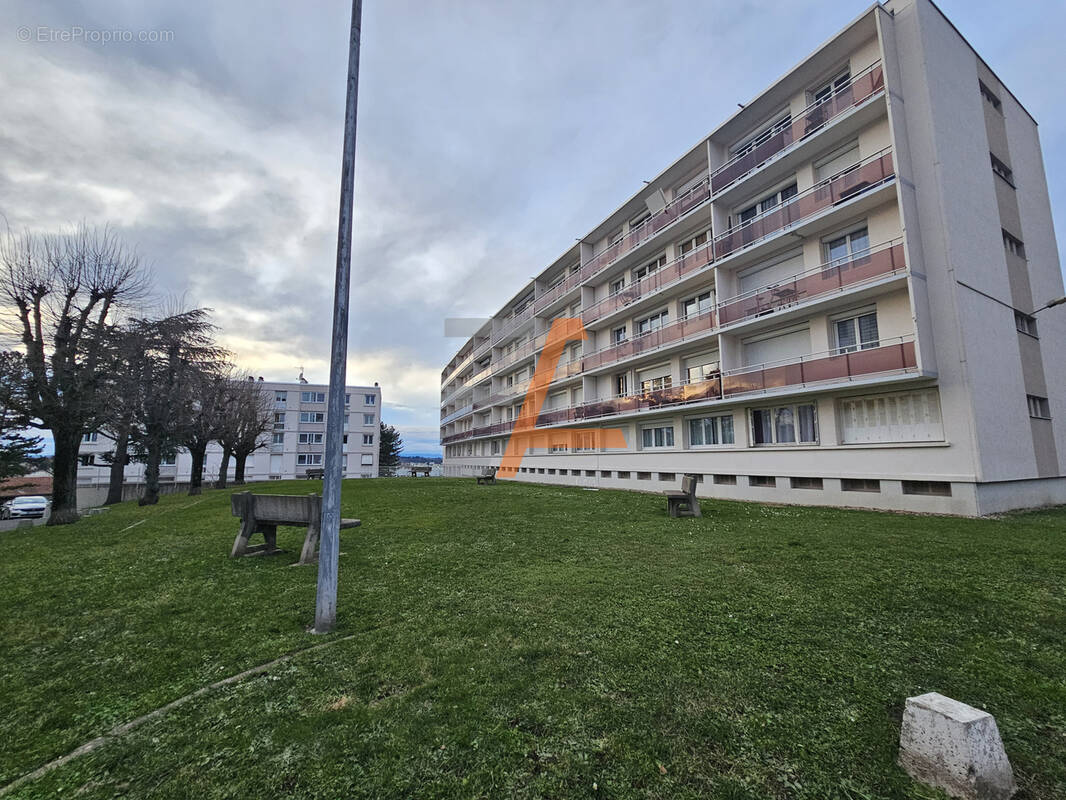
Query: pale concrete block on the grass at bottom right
[{"x": 955, "y": 747}]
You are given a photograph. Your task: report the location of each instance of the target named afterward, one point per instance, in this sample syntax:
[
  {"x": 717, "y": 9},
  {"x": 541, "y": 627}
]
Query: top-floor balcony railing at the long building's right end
[{"x": 816, "y": 117}]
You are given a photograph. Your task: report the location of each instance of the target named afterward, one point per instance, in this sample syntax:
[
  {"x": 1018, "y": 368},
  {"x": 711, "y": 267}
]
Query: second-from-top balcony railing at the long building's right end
[{"x": 869, "y": 174}]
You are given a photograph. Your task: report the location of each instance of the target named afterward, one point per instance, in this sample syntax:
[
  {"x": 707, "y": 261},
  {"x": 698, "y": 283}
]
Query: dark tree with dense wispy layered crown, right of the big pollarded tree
[{"x": 180, "y": 354}]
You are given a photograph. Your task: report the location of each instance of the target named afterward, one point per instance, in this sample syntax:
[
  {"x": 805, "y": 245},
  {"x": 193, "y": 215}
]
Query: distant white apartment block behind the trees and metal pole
[{"x": 296, "y": 445}]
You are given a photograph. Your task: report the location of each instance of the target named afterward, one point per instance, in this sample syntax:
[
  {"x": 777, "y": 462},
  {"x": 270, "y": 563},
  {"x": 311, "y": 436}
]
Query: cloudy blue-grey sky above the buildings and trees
[{"x": 492, "y": 135}]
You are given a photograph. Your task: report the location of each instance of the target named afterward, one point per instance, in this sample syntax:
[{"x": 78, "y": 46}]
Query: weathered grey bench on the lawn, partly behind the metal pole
[{"x": 264, "y": 514}]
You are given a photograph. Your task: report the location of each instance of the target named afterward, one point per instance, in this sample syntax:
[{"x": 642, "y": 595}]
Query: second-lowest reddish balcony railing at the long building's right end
[{"x": 828, "y": 279}]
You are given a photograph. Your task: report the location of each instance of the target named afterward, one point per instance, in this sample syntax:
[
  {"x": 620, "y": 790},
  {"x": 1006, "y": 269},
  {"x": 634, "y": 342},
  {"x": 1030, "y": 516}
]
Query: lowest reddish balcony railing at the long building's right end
[{"x": 891, "y": 356}]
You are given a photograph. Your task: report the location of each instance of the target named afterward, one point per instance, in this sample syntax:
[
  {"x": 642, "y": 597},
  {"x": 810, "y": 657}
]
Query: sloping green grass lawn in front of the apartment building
[{"x": 528, "y": 642}]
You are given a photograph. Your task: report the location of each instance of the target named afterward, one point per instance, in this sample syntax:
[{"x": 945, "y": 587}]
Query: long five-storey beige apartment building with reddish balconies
[{"x": 833, "y": 299}]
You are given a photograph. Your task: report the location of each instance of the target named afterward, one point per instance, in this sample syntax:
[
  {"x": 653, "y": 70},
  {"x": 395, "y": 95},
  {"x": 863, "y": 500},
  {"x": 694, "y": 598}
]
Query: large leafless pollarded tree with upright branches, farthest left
[{"x": 64, "y": 290}]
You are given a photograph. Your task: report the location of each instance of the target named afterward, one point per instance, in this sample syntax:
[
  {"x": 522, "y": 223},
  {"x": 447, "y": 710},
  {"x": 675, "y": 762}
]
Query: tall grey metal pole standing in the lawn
[{"x": 326, "y": 605}]
